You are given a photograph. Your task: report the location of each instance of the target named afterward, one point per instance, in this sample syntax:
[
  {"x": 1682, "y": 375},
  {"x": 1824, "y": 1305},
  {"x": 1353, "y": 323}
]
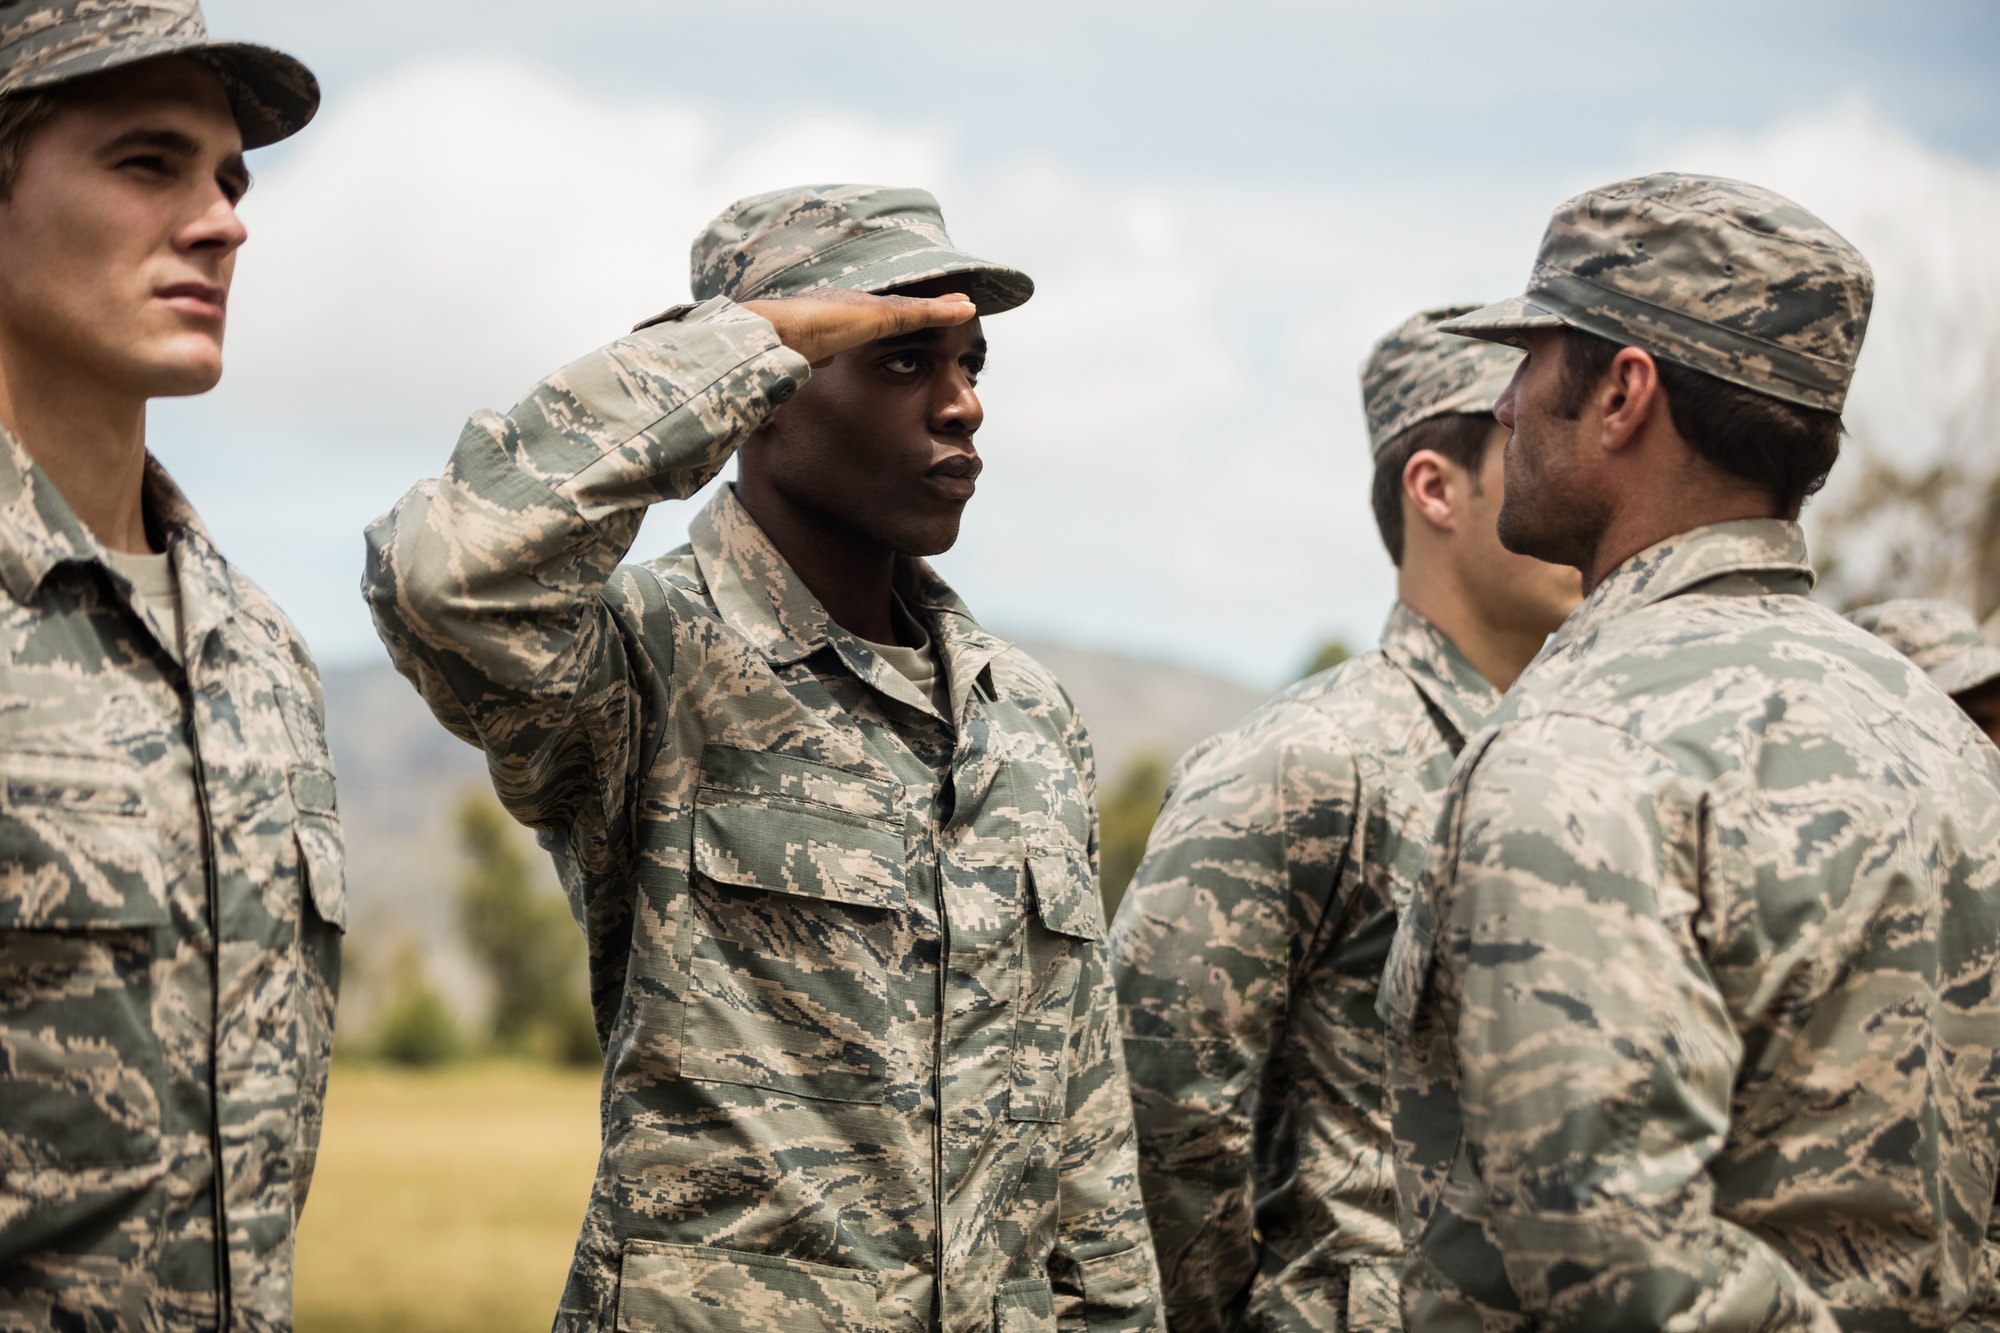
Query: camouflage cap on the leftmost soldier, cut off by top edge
[{"x": 47, "y": 43}]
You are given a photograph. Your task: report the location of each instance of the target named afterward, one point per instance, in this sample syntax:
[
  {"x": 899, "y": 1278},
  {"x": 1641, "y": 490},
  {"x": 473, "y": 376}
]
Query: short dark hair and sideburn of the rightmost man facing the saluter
[{"x": 1779, "y": 447}]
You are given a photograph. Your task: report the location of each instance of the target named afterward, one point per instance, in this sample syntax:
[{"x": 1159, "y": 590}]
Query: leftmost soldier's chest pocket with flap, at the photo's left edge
[{"x": 83, "y": 904}]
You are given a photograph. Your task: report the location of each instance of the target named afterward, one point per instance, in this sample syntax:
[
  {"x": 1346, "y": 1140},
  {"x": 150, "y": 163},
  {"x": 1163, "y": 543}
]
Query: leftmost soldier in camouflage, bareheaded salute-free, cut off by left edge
[{"x": 171, "y": 876}]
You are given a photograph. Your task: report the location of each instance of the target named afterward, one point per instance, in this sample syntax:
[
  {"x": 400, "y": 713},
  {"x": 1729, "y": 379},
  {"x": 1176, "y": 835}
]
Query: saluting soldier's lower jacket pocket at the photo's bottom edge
[{"x": 705, "y": 1290}]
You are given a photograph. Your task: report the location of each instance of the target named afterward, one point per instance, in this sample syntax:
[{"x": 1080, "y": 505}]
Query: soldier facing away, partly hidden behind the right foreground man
[{"x": 1251, "y": 942}]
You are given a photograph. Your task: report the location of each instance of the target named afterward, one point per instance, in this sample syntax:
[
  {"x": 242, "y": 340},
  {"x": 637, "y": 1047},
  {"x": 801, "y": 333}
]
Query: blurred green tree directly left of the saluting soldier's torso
[{"x": 525, "y": 942}]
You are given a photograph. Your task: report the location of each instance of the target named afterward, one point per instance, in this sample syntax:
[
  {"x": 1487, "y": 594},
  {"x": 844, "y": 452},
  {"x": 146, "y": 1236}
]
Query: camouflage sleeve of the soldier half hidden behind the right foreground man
[{"x": 1239, "y": 874}]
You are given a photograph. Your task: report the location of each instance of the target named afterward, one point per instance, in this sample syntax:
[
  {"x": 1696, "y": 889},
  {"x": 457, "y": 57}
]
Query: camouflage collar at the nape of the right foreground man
[{"x": 1771, "y": 551}]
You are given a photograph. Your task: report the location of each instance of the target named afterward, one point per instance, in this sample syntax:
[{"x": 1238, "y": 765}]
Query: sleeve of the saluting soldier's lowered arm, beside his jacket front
[{"x": 1103, "y": 1268}]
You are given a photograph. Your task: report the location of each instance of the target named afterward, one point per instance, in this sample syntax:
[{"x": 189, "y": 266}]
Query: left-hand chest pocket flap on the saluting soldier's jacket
[{"x": 785, "y": 848}]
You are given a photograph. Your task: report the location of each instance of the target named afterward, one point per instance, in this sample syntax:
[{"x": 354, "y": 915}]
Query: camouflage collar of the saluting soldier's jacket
[{"x": 767, "y": 603}]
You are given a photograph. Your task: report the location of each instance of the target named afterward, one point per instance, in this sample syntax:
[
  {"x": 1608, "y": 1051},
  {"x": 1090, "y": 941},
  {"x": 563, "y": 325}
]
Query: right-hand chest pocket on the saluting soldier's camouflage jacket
[{"x": 1063, "y": 928}]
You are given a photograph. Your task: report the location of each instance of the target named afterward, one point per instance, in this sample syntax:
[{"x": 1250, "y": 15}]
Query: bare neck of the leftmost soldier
[{"x": 87, "y": 439}]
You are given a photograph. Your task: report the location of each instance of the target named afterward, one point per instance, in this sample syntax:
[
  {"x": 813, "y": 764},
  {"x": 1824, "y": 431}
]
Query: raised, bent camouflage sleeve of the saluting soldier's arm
[{"x": 493, "y": 585}]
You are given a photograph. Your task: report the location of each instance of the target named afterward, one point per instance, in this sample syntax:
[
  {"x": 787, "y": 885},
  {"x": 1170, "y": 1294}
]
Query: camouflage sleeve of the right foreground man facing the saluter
[{"x": 1595, "y": 1054}]
